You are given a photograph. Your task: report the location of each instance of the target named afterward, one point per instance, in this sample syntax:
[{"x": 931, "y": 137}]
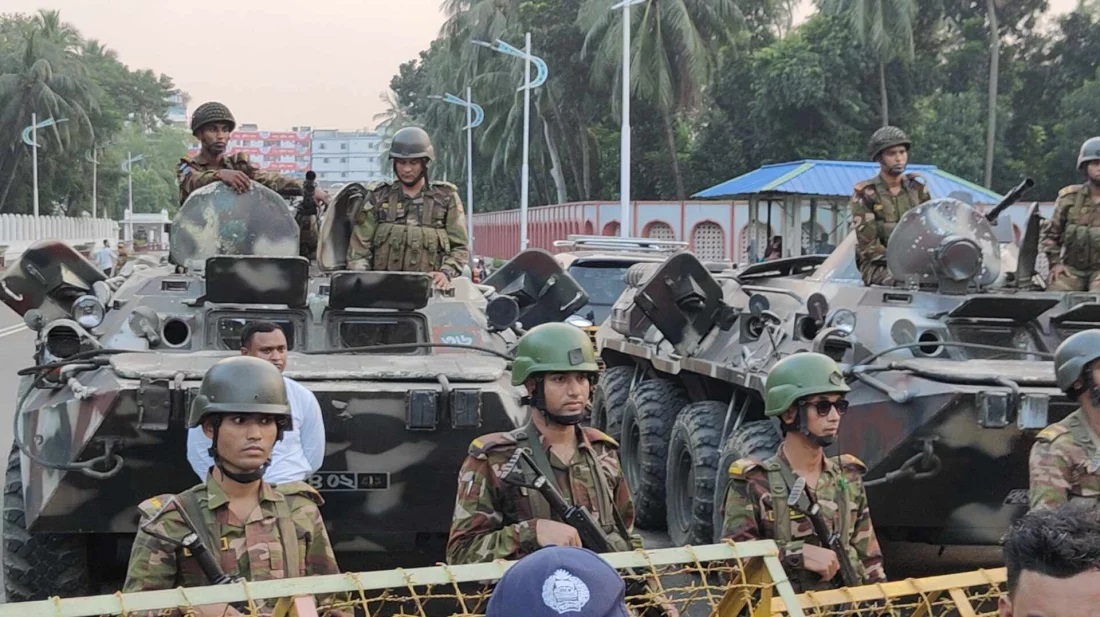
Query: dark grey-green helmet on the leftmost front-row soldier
[{"x": 241, "y": 384}]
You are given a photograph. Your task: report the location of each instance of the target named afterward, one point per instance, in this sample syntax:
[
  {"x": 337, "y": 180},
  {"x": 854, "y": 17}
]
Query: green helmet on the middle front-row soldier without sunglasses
[{"x": 554, "y": 348}]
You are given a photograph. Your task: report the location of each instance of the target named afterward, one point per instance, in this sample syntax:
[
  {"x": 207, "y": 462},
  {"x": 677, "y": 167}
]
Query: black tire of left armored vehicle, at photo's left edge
[{"x": 39, "y": 566}]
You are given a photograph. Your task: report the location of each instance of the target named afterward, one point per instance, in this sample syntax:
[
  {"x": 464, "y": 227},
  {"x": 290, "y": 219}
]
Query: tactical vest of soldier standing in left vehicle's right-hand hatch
[{"x": 411, "y": 241}]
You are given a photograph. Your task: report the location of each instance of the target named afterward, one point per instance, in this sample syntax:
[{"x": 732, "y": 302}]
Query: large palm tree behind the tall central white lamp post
[{"x": 674, "y": 54}]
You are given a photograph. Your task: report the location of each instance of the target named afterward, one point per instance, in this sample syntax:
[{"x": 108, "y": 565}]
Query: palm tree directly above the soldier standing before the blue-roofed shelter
[{"x": 886, "y": 28}]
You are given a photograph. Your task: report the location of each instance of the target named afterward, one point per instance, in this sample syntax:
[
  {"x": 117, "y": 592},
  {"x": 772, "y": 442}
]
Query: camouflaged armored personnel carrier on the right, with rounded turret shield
[{"x": 950, "y": 370}]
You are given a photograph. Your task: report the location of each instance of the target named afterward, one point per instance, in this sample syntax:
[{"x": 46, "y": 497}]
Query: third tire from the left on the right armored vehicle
[{"x": 691, "y": 469}]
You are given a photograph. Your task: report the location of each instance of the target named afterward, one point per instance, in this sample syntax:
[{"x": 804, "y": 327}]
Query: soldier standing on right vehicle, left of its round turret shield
[{"x": 877, "y": 204}]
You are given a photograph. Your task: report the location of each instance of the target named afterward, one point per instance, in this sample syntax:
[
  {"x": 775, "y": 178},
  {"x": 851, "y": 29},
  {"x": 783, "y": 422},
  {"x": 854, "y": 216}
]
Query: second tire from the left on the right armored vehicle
[{"x": 647, "y": 425}]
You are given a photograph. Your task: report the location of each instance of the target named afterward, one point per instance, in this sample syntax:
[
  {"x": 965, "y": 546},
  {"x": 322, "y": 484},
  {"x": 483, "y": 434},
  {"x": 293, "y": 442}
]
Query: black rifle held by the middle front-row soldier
[{"x": 579, "y": 517}]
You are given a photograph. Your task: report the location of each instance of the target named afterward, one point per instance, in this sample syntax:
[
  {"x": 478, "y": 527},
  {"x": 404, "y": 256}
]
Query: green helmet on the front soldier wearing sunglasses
[{"x": 798, "y": 377}]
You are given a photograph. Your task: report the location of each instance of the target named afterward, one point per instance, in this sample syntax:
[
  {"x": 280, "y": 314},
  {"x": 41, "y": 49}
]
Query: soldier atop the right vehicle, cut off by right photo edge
[{"x": 1072, "y": 237}]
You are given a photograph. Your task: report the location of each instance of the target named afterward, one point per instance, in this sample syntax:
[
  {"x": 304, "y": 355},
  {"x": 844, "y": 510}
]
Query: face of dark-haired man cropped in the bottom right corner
[{"x": 1039, "y": 596}]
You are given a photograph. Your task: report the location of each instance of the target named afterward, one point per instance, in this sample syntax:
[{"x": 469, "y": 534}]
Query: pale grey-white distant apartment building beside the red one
[{"x": 348, "y": 157}]
